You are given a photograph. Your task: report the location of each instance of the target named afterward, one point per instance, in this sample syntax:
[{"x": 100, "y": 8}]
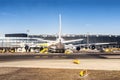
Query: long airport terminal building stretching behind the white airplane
[{"x": 114, "y": 40}]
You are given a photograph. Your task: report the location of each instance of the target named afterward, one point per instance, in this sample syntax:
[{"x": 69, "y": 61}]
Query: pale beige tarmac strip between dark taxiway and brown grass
[{"x": 91, "y": 63}]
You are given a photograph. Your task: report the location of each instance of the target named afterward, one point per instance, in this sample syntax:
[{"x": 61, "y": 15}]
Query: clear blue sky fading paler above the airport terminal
[{"x": 42, "y": 16}]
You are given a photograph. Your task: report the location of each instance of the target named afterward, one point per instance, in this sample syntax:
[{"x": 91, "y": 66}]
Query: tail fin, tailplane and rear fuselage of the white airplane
[{"x": 59, "y": 44}]
